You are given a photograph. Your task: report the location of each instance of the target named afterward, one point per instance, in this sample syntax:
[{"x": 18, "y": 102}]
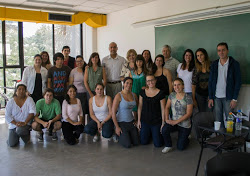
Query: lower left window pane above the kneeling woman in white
[{"x": 13, "y": 74}]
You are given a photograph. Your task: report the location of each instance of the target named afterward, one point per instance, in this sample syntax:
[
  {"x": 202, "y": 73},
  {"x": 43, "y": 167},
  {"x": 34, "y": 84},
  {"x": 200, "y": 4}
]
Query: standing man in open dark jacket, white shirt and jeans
[{"x": 224, "y": 83}]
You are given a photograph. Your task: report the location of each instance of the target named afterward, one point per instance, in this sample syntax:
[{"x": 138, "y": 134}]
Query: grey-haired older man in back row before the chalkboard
[{"x": 170, "y": 63}]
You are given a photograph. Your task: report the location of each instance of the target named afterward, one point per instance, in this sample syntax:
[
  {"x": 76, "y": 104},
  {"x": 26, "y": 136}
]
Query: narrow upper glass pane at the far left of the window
[{"x": 12, "y": 50}]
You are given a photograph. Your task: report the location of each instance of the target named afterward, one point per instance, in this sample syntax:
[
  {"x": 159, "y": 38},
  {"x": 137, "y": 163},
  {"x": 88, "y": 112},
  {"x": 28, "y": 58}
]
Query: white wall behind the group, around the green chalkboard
[{"x": 120, "y": 30}]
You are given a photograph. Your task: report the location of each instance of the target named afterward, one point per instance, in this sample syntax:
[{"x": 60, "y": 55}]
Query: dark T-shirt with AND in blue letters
[{"x": 59, "y": 78}]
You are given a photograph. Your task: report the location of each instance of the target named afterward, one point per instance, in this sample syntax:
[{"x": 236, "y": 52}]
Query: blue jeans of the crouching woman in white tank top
[{"x": 107, "y": 128}]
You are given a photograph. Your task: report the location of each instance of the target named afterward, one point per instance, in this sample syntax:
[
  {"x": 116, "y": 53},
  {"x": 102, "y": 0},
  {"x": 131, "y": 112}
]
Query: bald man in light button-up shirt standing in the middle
[{"x": 113, "y": 66}]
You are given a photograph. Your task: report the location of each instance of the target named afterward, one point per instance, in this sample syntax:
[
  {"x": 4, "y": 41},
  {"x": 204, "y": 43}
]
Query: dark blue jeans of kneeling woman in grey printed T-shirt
[{"x": 183, "y": 134}]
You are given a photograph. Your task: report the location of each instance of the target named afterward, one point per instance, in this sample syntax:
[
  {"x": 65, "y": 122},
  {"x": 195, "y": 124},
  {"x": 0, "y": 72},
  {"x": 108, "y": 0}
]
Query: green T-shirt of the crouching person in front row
[{"x": 48, "y": 111}]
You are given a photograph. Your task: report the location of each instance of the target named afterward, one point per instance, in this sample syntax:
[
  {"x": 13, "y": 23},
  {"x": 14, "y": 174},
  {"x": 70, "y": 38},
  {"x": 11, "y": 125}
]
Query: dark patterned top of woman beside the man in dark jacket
[{"x": 200, "y": 80}]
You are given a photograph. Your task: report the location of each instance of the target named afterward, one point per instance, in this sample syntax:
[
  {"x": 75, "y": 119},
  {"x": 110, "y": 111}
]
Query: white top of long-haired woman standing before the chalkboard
[{"x": 186, "y": 76}]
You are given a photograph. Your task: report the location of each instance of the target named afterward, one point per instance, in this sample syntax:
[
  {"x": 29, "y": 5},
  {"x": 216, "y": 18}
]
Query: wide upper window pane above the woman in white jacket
[{"x": 36, "y": 38}]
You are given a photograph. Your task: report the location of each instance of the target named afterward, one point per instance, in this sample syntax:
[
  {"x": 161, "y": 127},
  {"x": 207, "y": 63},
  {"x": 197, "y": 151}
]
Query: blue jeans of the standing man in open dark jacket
[{"x": 221, "y": 106}]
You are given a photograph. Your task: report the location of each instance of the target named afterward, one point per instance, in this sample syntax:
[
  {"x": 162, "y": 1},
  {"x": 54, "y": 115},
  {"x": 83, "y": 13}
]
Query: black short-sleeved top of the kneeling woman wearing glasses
[{"x": 151, "y": 108}]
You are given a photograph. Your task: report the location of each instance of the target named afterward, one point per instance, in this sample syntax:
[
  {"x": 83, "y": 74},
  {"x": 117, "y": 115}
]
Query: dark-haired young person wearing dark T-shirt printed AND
[{"x": 58, "y": 77}]
